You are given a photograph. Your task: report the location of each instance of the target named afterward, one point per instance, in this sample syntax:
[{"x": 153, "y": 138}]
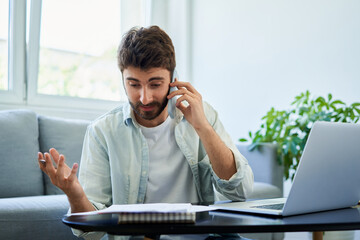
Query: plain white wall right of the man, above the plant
[{"x": 251, "y": 55}]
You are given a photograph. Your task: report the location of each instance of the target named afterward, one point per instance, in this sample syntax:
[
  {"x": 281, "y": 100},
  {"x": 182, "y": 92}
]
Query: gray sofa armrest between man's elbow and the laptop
[{"x": 263, "y": 161}]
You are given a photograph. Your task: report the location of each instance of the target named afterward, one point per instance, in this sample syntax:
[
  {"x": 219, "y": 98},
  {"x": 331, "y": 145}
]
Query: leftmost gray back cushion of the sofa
[{"x": 19, "y": 172}]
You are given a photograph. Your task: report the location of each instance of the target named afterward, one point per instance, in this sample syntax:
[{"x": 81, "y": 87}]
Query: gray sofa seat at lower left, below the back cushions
[{"x": 34, "y": 218}]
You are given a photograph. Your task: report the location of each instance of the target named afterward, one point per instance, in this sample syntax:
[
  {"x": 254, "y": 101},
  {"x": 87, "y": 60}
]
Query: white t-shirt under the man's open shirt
[{"x": 170, "y": 177}]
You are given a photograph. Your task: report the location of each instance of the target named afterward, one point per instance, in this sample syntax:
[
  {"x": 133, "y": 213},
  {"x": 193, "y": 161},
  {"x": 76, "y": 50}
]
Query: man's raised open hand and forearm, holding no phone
[{"x": 64, "y": 177}]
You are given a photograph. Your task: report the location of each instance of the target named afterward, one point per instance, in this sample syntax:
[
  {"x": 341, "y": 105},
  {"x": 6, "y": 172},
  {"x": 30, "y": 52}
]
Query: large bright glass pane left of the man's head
[{"x": 78, "y": 45}]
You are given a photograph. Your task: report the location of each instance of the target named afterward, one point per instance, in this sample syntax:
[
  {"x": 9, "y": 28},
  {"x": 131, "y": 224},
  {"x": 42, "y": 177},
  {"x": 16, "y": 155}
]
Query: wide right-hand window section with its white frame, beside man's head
[{"x": 72, "y": 48}]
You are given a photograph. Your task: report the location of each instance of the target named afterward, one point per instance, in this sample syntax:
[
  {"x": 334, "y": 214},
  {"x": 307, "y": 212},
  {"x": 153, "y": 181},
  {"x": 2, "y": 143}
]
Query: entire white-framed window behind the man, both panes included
[{"x": 59, "y": 57}]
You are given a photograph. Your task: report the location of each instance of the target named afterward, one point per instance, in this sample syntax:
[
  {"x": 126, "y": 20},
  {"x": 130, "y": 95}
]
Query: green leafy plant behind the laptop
[{"x": 289, "y": 129}]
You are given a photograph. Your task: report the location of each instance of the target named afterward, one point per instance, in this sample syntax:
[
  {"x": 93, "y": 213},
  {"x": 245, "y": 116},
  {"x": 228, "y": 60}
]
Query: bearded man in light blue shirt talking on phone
[{"x": 137, "y": 154}]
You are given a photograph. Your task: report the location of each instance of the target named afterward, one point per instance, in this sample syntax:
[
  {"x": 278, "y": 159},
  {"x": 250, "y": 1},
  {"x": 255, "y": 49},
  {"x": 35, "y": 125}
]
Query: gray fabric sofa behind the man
[{"x": 32, "y": 208}]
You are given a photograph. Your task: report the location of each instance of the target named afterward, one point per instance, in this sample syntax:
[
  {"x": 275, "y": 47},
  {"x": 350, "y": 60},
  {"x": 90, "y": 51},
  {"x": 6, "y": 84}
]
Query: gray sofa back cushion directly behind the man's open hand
[{"x": 66, "y": 136}]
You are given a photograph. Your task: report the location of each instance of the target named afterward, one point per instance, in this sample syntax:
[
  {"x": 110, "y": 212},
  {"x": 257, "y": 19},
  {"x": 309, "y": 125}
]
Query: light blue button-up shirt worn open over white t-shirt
[{"x": 115, "y": 160}]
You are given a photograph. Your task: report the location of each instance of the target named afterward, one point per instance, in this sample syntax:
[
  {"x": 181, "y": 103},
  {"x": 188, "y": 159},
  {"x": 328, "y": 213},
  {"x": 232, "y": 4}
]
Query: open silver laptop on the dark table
[{"x": 327, "y": 177}]
